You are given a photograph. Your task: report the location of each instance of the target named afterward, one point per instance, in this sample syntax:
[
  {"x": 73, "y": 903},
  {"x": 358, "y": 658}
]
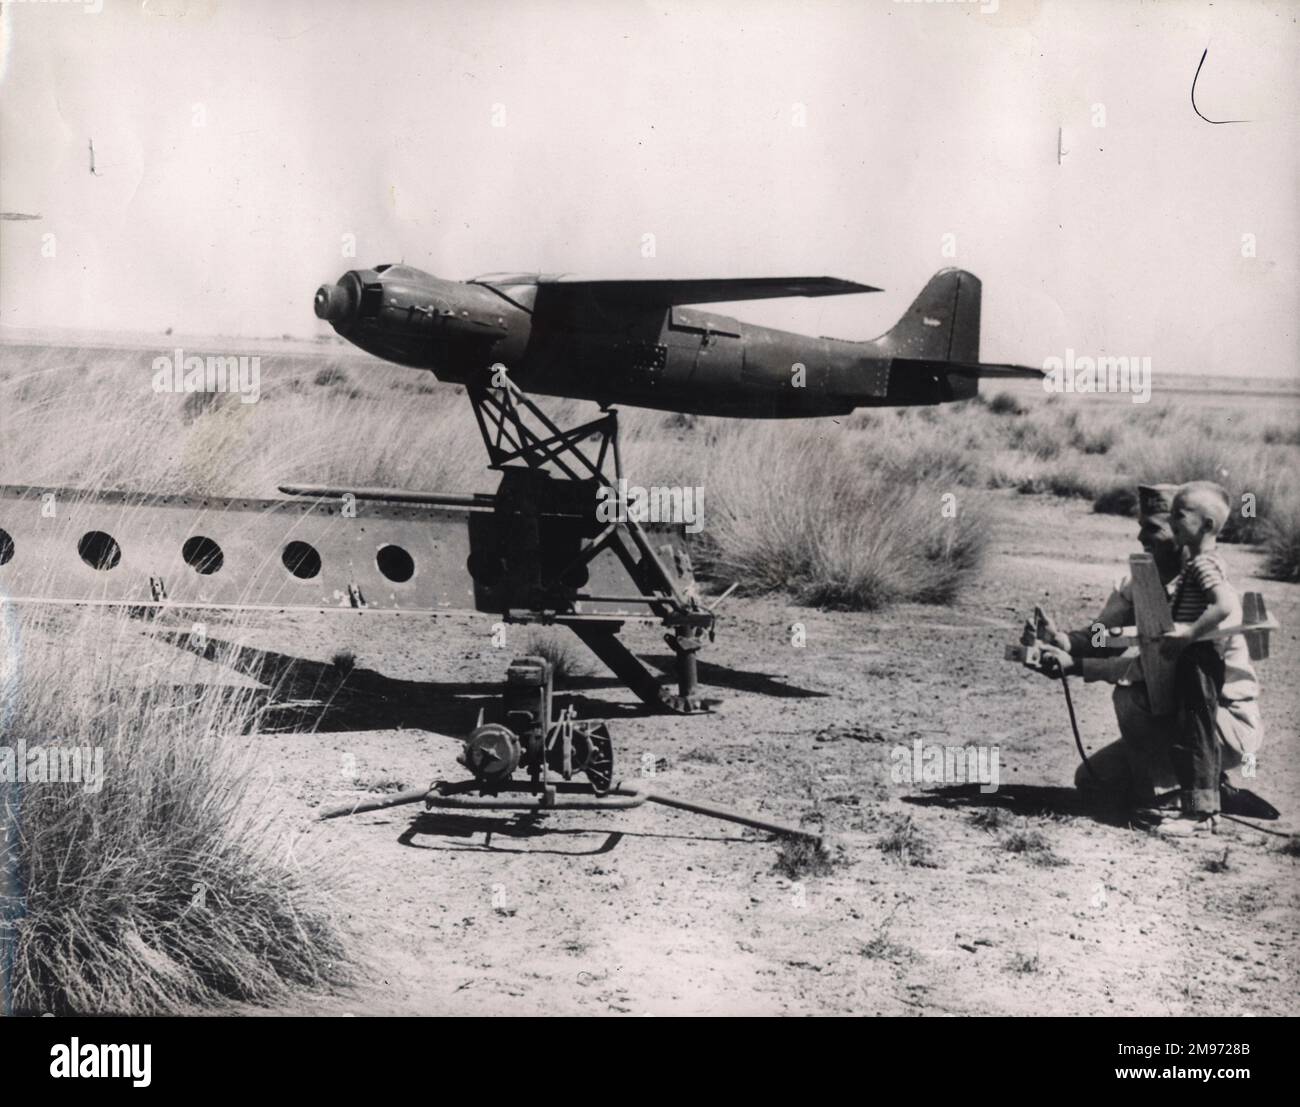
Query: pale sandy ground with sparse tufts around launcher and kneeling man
[{"x": 935, "y": 900}]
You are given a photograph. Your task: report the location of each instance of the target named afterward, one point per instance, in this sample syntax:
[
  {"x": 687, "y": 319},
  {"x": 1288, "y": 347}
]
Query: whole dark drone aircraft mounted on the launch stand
[{"x": 640, "y": 344}]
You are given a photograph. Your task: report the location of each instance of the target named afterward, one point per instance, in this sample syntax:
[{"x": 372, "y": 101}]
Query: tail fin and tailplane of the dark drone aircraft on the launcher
[{"x": 935, "y": 346}]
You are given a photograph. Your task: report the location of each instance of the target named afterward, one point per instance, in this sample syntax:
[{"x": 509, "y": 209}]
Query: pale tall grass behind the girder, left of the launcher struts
[{"x": 310, "y": 426}]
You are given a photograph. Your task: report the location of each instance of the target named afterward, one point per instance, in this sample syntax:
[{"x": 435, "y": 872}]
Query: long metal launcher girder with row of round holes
[{"x": 322, "y": 553}]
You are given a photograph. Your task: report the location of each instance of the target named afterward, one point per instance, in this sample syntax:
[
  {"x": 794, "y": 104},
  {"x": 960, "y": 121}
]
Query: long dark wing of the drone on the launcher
[{"x": 561, "y": 294}]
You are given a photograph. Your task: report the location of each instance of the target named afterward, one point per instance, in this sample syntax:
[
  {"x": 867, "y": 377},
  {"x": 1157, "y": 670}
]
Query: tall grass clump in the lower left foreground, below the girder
[{"x": 164, "y": 891}]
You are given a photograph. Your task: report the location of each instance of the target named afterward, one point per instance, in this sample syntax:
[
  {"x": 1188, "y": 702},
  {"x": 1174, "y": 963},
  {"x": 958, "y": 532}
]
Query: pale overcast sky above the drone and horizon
[{"x": 239, "y": 144}]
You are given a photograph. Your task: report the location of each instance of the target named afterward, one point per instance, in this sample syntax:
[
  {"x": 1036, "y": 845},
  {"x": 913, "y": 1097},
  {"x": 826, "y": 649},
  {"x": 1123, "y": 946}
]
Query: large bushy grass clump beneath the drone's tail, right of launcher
[{"x": 808, "y": 515}]
